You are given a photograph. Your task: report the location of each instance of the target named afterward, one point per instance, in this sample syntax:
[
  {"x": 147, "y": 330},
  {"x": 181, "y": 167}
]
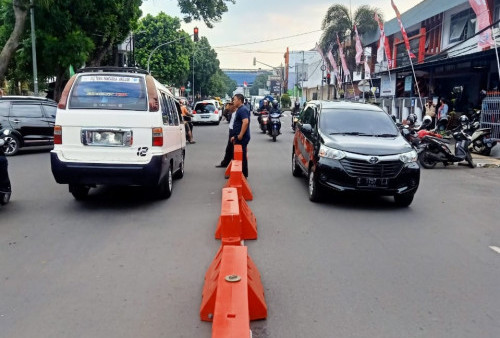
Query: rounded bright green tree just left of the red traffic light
[{"x": 169, "y": 63}]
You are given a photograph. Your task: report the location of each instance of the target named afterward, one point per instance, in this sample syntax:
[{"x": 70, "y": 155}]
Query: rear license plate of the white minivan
[{"x": 107, "y": 137}]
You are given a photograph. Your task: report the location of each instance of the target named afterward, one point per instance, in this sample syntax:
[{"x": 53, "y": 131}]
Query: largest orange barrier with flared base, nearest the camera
[{"x": 232, "y": 260}]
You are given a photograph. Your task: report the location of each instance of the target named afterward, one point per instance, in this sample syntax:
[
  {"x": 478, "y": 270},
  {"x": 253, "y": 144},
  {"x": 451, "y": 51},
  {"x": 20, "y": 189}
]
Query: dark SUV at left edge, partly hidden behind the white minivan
[{"x": 31, "y": 120}]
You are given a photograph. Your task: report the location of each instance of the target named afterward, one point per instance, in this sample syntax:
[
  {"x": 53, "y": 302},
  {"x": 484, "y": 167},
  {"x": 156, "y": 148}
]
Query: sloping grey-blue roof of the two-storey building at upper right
[{"x": 424, "y": 10}]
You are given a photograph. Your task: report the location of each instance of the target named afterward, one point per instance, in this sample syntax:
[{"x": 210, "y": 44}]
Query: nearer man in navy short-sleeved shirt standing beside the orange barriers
[{"x": 241, "y": 128}]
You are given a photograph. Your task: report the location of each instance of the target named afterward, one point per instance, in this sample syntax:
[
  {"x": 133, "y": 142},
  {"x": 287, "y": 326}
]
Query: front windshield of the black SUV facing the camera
[{"x": 357, "y": 122}]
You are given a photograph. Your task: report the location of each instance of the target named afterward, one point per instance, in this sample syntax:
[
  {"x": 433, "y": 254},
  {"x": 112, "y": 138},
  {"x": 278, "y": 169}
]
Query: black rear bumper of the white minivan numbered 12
[{"x": 108, "y": 173}]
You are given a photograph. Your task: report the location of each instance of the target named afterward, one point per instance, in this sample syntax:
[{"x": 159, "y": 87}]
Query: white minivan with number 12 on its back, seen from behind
[{"x": 117, "y": 126}]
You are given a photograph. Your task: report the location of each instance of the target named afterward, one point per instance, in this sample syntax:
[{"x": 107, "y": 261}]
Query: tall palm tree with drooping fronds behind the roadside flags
[{"x": 339, "y": 20}]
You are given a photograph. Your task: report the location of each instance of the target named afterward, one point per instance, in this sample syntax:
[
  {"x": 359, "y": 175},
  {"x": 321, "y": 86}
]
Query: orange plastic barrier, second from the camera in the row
[{"x": 236, "y": 220}]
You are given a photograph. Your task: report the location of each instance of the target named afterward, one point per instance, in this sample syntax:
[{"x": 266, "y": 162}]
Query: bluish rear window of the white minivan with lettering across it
[{"x": 109, "y": 92}]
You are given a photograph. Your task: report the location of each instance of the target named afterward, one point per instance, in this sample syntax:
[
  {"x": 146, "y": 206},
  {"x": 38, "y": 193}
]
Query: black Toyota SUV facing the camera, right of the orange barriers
[{"x": 346, "y": 146}]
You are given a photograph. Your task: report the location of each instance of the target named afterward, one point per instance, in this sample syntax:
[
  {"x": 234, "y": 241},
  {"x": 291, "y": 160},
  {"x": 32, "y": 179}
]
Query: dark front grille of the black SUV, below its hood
[{"x": 362, "y": 168}]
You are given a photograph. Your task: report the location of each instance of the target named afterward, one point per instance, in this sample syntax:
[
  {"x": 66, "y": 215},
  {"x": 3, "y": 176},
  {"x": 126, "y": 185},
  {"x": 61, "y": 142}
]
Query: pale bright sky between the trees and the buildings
[{"x": 247, "y": 23}]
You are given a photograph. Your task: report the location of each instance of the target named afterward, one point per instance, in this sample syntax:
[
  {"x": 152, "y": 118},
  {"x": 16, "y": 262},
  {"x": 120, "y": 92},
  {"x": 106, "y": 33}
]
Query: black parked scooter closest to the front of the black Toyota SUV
[{"x": 433, "y": 150}]
